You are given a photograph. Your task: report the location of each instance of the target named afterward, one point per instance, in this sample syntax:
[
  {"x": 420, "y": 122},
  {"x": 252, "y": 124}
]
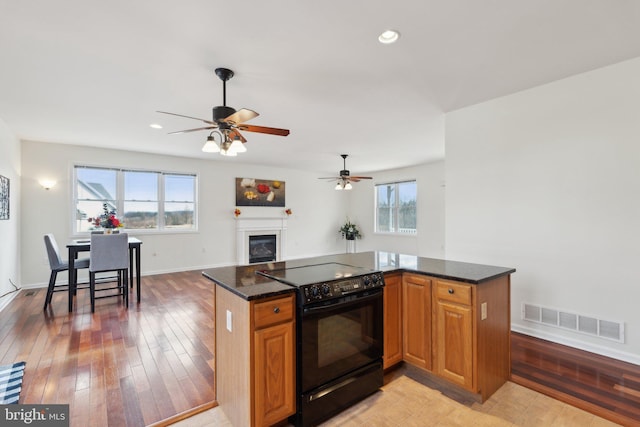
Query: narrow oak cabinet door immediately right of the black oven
[{"x": 392, "y": 320}]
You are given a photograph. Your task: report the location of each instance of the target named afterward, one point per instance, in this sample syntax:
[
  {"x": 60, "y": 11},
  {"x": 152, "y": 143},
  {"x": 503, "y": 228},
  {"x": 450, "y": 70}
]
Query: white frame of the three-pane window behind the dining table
[{"x": 120, "y": 200}]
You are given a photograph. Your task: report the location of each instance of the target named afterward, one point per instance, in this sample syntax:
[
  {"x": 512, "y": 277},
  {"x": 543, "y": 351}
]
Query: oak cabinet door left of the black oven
[{"x": 274, "y": 378}]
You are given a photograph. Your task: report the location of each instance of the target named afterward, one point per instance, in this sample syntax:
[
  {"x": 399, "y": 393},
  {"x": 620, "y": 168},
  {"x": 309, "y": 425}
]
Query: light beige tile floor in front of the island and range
[{"x": 405, "y": 402}]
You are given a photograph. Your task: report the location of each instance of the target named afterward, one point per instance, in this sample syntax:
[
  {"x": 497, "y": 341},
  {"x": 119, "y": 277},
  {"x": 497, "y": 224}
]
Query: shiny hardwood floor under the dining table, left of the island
[{"x": 117, "y": 367}]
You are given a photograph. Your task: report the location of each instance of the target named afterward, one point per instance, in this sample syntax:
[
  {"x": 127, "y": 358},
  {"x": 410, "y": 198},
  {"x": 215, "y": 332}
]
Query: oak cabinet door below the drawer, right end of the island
[{"x": 454, "y": 343}]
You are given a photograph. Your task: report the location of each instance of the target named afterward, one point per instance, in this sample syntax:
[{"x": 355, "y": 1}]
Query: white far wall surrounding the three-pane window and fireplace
[{"x": 312, "y": 229}]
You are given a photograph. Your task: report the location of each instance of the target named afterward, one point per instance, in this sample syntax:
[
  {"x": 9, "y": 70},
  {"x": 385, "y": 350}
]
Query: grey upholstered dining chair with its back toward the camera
[{"x": 109, "y": 253}]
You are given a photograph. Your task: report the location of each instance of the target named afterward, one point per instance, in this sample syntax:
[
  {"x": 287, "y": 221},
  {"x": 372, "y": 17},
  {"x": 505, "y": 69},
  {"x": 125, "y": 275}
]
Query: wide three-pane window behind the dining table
[{"x": 143, "y": 200}]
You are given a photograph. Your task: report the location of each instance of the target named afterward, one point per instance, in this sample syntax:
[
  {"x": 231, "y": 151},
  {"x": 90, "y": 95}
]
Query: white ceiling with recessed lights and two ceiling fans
[{"x": 94, "y": 72}]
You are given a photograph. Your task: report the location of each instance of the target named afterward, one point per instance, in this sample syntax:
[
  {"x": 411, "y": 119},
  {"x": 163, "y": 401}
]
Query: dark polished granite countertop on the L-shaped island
[{"x": 246, "y": 283}]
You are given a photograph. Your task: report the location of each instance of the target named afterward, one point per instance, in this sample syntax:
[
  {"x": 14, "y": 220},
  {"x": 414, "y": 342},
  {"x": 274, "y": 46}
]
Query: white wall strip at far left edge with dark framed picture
[{"x": 10, "y": 229}]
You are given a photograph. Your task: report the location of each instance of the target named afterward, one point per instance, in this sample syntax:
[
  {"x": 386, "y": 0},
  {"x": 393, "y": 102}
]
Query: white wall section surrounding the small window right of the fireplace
[{"x": 430, "y": 210}]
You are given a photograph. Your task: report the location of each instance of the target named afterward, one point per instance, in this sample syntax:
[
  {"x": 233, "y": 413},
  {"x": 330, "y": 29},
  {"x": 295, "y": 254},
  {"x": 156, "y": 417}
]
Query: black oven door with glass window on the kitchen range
[{"x": 339, "y": 336}]
